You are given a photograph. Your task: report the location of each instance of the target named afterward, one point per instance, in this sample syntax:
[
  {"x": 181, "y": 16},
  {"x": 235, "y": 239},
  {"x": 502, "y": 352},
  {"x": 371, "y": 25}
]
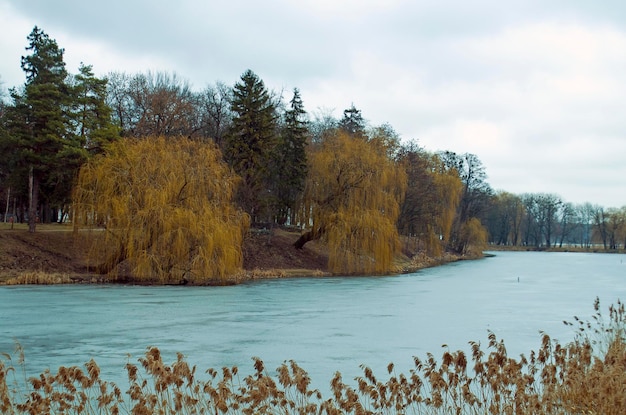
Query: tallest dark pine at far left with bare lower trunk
[{"x": 43, "y": 149}]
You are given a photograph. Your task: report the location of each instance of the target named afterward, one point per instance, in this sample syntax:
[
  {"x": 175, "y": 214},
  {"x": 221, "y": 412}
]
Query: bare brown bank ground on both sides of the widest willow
[{"x": 52, "y": 254}]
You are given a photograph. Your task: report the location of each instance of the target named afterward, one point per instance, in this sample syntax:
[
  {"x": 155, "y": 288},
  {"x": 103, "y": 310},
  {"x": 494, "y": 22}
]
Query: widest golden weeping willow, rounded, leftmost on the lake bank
[{"x": 166, "y": 209}]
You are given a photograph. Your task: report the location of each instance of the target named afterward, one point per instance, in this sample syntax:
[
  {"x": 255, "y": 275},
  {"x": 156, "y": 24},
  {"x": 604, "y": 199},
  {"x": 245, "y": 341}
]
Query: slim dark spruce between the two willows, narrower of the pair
[{"x": 291, "y": 160}]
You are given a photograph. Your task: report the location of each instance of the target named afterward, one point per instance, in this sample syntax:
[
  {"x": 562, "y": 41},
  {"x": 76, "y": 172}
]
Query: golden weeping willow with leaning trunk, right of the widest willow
[{"x": 351, "y": 200}]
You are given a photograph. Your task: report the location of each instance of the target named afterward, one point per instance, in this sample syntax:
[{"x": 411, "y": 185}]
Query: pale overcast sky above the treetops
[{"x": 535, "y": 89}]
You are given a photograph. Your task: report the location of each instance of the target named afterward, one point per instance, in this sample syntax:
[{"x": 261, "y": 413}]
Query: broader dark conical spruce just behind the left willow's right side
[{"x": 250, "y": 143}]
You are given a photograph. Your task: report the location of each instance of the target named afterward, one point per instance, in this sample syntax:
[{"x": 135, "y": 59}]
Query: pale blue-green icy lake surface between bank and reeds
[{"x": 324, "y": 324}]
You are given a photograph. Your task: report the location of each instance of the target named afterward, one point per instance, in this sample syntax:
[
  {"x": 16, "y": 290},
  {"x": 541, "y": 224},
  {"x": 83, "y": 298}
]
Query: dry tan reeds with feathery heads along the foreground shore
[{"x": 586, "y": 376}]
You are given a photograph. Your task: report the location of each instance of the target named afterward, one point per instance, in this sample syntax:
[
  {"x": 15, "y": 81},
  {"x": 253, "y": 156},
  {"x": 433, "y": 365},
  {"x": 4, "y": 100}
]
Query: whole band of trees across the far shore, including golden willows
[{"x": 175, "y": 177}]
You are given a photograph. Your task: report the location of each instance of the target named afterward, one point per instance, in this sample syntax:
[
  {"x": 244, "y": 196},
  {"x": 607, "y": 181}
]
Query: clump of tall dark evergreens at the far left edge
[{"x": 53, "y": 123}]
